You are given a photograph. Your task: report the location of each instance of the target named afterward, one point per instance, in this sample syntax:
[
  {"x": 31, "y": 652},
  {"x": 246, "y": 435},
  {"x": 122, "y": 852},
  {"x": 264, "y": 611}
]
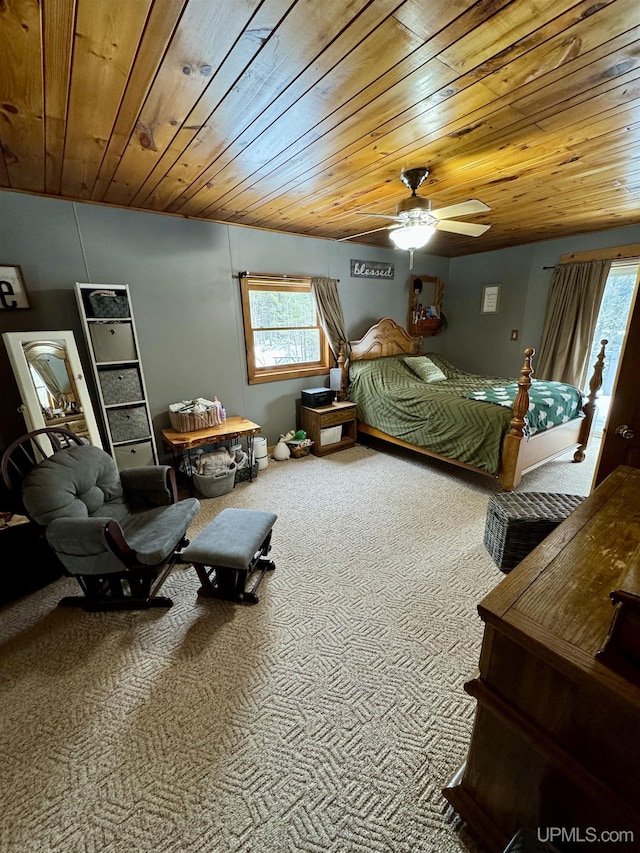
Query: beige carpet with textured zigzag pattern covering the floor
[{"x": 325, "y": 719}]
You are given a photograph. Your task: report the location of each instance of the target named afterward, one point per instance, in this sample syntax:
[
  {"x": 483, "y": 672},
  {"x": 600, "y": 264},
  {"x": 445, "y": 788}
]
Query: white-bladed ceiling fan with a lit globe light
[{"x": 414, "y": 221}]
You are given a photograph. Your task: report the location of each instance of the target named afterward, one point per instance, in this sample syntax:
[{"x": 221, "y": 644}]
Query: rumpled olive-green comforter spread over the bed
[{"x": 434, "y": 415}]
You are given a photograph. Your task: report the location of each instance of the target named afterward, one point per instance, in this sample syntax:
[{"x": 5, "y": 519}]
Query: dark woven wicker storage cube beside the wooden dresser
[{"x": 517, "y": 523}]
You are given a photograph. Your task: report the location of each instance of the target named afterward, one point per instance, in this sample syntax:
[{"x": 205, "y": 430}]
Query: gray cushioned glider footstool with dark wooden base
[{"x": 230, "y": 555}]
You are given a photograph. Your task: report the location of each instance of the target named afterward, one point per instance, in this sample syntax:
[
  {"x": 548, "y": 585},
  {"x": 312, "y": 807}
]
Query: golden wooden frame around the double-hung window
[{"x": 257, "y": 375}]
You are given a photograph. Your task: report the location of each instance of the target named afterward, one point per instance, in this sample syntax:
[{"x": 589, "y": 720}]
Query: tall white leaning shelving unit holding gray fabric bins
[{"x": 112, "y": 341}]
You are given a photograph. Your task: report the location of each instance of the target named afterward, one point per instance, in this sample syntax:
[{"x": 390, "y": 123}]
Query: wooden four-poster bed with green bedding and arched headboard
[{"x": 498, "y": 427}]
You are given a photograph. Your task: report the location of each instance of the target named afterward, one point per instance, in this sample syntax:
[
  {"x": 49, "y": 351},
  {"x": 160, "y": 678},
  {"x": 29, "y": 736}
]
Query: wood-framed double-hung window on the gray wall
[{"x": 282, "y": 332}]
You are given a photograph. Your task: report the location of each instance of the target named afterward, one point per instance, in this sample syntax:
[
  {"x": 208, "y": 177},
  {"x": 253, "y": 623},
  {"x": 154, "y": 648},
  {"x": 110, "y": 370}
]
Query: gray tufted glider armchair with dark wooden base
[{"x": 118, "y": 533}]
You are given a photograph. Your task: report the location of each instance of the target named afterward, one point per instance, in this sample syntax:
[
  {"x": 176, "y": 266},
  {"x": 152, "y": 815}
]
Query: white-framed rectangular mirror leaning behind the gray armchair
[{"x": 51, "y": 382}]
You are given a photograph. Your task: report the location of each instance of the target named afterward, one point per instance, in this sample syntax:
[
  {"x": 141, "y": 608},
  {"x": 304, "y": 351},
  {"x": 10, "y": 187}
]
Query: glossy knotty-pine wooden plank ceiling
[{"x": 297, "y": 115}]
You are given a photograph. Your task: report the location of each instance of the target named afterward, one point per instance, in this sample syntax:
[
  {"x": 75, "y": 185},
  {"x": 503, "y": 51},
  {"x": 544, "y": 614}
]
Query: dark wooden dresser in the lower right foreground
[{"x": 556, "y": 738}]
